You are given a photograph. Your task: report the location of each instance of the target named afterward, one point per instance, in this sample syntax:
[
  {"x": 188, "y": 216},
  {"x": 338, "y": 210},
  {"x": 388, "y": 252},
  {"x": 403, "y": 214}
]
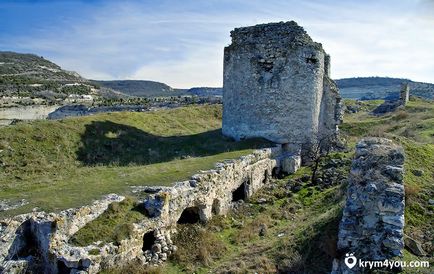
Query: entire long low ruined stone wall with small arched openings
[{"x": 40, "y": 241}]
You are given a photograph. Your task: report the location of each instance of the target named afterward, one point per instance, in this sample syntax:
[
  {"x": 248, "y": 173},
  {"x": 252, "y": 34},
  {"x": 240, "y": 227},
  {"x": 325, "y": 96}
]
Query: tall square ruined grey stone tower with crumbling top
[{"x": 277, "y": 85}]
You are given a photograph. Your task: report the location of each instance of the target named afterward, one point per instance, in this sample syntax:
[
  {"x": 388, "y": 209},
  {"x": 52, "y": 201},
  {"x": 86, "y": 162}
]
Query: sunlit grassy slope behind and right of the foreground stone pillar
[{"x": 413, "y": 128}]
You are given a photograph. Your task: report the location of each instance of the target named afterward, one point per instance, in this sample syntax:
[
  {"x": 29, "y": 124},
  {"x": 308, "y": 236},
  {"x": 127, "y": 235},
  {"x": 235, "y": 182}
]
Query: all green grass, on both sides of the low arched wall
[{"x": 87, "y": 157}]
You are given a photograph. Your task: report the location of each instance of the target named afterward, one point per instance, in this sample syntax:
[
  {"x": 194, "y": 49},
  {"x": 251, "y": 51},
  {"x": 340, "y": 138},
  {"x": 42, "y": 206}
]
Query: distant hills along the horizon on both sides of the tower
[{"x": 33, "y": 76}]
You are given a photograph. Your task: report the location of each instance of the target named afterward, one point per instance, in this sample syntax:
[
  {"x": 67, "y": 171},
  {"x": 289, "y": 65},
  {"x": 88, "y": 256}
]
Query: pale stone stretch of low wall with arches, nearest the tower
[{"x": 213, "y": 190}]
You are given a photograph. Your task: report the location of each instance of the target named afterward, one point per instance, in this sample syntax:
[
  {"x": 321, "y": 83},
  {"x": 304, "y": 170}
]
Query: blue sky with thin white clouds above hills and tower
[{"x": 181, "y": 42}]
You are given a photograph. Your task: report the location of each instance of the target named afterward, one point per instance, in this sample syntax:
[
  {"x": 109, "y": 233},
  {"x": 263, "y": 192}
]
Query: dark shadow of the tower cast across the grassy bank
[{"x": 108, "y": 143}]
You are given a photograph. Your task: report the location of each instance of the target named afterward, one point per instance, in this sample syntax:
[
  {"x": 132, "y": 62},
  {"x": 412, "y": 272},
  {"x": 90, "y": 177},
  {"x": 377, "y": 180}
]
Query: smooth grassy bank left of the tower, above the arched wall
[{"x": 59, "y": 164}]
